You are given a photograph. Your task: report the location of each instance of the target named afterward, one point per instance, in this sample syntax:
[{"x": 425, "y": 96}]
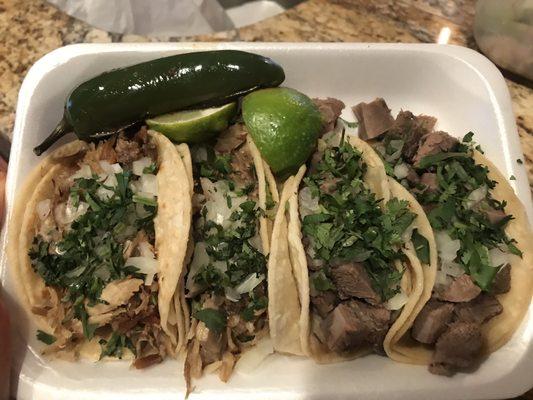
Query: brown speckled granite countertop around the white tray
[{"x": 31, "y": 28}]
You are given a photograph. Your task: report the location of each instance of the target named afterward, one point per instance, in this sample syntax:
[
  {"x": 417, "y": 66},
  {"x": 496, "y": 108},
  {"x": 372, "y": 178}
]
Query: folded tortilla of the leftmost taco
[{"x": 171, "y": 227}]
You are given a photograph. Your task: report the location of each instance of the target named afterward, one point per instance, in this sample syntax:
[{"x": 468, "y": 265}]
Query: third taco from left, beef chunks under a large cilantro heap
[{"x": 358, "y": 248}]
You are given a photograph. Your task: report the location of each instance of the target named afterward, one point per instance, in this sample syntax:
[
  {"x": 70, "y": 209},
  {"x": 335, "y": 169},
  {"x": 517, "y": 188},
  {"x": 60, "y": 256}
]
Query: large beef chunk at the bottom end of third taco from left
[{"x": 355, "y": 323}]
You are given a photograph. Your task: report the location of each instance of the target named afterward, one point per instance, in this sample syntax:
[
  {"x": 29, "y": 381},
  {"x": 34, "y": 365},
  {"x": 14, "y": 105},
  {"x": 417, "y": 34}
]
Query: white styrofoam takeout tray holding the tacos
[{"x": 458, "y": 86}]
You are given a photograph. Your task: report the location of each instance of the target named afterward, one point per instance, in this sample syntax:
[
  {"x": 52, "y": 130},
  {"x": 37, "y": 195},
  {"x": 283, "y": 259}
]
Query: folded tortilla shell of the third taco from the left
[{"x": 290, "y": 312}]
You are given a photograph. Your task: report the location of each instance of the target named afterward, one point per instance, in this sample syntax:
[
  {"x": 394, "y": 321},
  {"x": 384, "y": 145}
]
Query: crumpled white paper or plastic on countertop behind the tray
[{"x": 171, "y": 17}]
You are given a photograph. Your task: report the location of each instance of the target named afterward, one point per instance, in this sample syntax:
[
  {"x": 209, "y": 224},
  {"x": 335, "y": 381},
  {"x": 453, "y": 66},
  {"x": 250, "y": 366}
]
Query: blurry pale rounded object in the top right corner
[{"x": 504, "y": 32}]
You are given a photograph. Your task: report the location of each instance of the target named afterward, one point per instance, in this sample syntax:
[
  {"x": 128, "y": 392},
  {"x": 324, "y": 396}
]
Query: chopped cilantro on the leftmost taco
[{"x": 90, "y": 254}]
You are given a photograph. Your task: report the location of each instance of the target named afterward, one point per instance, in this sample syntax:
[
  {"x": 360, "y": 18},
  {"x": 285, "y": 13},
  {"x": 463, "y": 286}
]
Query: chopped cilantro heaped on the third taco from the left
[{"x": 352, "y": 226}]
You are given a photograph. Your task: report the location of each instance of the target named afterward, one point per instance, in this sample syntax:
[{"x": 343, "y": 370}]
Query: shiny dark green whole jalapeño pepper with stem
[{"x": 122, "y": 97}]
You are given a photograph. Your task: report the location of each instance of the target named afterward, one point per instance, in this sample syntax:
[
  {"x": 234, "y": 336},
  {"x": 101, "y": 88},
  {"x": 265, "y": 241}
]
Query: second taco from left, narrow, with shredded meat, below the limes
[{"x": 226, "y": 286}]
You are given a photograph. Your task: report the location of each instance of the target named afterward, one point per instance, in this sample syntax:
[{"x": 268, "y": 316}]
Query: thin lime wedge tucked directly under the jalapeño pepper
[{"x": 193, "y": 126}]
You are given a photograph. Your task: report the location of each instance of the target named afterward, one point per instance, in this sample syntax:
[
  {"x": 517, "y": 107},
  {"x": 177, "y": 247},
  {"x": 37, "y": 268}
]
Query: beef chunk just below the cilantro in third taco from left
[{"x": 352, "y": 280}]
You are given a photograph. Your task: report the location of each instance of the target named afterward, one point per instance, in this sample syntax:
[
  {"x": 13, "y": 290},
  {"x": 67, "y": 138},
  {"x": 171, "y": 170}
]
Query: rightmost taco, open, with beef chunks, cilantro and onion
[{"x": 483, "y": 284}]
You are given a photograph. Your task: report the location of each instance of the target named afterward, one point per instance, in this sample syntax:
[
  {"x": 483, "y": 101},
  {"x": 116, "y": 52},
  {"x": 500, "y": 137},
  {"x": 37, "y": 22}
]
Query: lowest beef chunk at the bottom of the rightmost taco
[{"x": 458, "y": 347}]
